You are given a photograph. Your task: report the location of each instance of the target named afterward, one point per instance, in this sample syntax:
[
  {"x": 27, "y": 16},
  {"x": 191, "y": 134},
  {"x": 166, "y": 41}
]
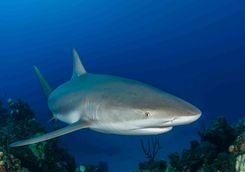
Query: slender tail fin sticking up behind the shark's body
[{"x": 43, "y": 82}]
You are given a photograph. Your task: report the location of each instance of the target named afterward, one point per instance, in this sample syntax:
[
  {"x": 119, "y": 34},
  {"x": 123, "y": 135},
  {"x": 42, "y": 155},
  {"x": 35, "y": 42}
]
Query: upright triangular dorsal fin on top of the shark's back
[{"x": 78, "y": 68}]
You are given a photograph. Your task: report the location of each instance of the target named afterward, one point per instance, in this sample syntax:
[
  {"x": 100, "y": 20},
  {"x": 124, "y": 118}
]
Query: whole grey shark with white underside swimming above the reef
[{"x": 111, "y": 104}]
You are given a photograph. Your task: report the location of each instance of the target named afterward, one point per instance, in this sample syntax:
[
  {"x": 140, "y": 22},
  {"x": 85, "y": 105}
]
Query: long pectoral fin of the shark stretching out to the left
[{"x": 70, "y": 128}]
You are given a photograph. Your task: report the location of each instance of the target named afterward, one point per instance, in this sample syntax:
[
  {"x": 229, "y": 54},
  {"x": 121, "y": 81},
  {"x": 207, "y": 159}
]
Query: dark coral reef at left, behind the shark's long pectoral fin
[{"x": 18, "y": 122}]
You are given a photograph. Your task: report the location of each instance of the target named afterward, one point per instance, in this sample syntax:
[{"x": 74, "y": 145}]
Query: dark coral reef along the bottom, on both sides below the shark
[{"x": 221, "y": 148}]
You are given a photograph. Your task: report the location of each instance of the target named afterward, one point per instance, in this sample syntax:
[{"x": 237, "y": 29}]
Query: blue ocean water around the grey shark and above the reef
[{"x": 192, "y": 49}]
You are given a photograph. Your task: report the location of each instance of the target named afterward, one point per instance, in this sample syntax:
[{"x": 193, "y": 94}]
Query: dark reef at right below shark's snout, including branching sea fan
[{"x": 221, "y": 148}]
